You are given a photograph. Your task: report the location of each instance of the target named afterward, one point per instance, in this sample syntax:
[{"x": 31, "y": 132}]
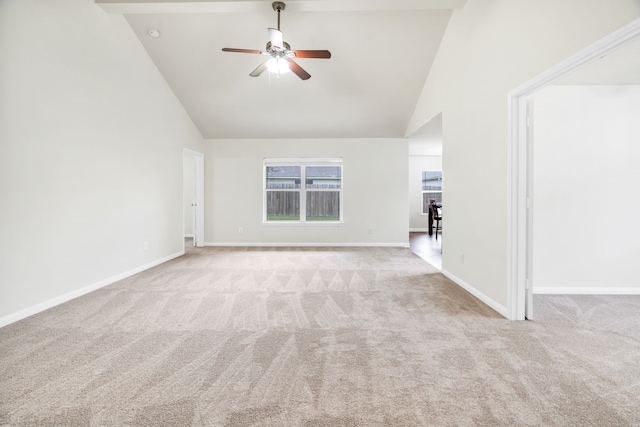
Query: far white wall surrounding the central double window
[{"x": 374, "y": 185}]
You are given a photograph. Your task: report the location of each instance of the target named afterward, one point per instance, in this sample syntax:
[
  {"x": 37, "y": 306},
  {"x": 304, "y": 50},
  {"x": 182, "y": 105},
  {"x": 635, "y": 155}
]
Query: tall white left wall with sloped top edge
[{"x": 91, "y": 141}]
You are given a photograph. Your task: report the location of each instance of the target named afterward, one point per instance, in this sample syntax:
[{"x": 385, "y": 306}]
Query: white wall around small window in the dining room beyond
[{"x": 417, "y": 164}]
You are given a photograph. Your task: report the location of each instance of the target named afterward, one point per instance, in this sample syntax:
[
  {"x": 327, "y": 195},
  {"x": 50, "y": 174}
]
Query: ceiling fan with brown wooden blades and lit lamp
[{"x": 280, "y": 53}]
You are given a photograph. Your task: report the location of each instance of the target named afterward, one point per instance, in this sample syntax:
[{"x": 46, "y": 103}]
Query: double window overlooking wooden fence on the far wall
[{"x": 303, "y": 190}]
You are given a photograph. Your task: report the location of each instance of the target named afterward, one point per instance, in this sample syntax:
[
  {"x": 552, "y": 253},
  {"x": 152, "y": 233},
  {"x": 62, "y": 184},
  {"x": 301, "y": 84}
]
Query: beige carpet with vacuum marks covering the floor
[{"x": 317, "y": 337}]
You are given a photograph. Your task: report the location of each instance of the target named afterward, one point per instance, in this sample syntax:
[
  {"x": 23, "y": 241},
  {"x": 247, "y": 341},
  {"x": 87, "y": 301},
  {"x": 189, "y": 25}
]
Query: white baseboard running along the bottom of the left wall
[{"x": 45, "y": 305}]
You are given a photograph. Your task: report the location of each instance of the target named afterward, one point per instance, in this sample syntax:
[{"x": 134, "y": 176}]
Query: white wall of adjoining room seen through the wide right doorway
[{"x": 586, "y": 175}]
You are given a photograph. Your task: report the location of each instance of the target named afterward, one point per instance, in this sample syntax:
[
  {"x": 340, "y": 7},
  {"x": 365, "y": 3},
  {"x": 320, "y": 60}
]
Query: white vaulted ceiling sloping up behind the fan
[{"x": 381, "y": 55}]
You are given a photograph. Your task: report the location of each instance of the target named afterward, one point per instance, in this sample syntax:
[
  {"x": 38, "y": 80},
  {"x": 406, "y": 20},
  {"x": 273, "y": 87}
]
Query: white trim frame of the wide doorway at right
[{"x": 520, "y": 162}]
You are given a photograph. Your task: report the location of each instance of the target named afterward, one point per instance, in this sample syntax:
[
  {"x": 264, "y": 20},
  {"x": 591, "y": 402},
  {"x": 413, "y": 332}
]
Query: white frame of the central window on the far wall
[{"x": 303, "y": 163}]
